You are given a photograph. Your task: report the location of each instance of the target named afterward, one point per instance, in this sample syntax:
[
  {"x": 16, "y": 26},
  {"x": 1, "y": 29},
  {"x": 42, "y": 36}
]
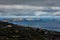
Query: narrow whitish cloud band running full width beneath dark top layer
[{"x": 29, "y": 7}]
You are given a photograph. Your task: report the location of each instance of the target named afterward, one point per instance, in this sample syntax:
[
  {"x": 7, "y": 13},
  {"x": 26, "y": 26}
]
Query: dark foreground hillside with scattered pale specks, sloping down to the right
[{"x": 9, "y": 31}]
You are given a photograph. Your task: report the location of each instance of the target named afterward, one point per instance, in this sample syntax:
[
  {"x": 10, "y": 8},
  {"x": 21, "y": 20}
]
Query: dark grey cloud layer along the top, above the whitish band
[{"x": 32, "y": 2}]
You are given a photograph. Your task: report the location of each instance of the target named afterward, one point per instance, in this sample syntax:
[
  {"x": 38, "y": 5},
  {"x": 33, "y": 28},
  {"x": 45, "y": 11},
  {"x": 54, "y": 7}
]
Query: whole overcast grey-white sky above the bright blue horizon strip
[{"x": 30, "y": 7}]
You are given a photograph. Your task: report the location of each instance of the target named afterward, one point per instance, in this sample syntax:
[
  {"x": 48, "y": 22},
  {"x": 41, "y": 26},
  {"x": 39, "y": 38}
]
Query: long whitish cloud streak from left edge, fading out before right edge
[{"x": 22, "y": 7}]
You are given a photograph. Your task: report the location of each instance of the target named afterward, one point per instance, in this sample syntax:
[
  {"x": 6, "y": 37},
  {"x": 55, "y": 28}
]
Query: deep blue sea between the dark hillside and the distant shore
[{"x": 43, "y": 24}]
